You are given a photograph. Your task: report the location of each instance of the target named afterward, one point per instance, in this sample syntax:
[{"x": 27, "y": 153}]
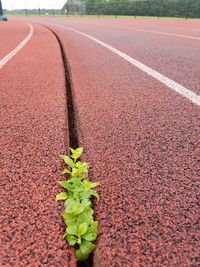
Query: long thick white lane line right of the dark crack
[{"x": 155, "y": 74}]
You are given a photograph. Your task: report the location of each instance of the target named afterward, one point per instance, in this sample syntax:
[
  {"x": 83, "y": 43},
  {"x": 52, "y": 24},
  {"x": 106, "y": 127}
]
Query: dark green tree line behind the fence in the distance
[{"x": 165, "y": 8}]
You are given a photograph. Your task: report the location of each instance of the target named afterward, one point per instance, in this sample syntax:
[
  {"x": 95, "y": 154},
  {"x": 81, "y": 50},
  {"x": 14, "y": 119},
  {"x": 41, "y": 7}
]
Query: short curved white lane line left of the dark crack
[{"x": 4, "y": 60}]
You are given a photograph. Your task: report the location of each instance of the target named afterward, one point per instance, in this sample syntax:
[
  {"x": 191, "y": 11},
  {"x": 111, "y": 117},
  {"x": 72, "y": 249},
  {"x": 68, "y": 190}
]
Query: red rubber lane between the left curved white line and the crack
[{"x": 33, "y": 134}]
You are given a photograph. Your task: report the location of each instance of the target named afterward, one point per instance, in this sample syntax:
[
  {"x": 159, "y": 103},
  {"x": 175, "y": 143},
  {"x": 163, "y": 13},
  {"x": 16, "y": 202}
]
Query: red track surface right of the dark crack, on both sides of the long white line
[{"x": 141, "y": 138}]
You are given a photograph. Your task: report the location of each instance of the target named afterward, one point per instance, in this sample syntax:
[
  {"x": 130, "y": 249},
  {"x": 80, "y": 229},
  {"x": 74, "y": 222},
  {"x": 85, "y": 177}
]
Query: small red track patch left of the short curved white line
[{"x": 12, "y": 34}]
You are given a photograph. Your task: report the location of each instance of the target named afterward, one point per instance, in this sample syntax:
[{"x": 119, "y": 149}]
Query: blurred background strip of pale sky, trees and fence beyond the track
[{"x": 150, "y": 8}]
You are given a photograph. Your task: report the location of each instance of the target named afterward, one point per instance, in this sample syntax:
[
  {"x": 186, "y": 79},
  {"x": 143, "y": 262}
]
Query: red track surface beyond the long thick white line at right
[{"x": 173, "y": 56}]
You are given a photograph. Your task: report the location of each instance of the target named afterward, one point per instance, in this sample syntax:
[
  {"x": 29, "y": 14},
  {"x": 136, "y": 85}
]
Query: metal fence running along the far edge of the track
[{"x": 155, "y": 8}]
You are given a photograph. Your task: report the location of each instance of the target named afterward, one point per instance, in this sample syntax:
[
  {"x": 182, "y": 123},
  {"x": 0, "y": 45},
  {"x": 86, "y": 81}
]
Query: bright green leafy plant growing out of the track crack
[{"x": 81, "y": 229}]
